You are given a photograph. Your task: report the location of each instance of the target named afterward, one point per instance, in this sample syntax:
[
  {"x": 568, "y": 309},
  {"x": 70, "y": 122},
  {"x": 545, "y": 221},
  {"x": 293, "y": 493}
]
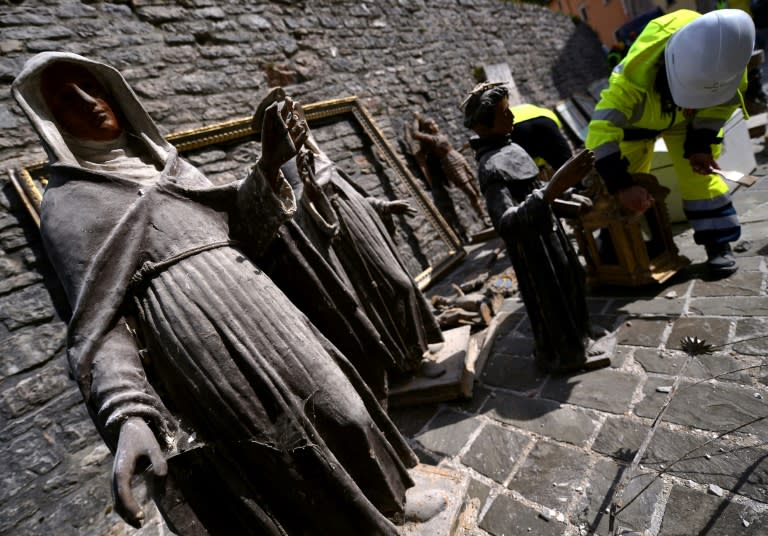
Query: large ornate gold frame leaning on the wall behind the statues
[{"x": 30, "y": 181}]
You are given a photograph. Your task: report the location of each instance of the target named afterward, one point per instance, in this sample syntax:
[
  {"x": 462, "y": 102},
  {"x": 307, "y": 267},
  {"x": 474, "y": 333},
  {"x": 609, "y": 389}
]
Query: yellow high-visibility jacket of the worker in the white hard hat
[{"x": 630, "y": 107}]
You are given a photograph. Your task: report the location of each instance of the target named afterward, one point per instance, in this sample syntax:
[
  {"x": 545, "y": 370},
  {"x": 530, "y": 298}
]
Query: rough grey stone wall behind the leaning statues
[{"x": 198, "y": 62}]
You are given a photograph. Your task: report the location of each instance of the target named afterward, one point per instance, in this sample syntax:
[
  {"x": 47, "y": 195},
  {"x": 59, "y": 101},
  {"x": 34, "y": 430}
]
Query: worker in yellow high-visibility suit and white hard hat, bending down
[{"x": 682, "y": 79}]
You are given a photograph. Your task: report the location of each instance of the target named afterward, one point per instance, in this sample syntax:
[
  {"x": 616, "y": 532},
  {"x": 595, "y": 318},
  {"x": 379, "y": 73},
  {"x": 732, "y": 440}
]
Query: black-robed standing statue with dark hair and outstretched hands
[{"x": 549, "y": 274}]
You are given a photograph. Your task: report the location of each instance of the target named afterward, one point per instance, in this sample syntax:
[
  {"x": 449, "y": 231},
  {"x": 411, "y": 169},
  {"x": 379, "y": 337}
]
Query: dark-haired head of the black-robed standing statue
[{"x": 486, "y": 111}]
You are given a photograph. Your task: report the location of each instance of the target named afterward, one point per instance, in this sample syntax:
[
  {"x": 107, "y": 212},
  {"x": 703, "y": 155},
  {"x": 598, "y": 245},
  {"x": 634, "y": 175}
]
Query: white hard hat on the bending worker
[{"x": 706, "y": 59}]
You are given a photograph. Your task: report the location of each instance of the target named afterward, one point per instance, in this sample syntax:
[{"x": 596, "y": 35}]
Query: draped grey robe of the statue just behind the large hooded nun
[{"x": 346, "y": 226}]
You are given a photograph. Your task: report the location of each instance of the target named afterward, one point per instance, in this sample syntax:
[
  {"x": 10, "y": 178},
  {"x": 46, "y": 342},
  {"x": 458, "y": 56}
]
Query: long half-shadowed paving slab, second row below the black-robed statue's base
[{"x": 544, "y": 417}]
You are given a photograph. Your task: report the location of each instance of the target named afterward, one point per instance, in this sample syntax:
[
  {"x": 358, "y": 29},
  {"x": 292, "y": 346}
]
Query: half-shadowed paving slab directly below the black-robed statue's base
[{"x": 604, "y": 389}]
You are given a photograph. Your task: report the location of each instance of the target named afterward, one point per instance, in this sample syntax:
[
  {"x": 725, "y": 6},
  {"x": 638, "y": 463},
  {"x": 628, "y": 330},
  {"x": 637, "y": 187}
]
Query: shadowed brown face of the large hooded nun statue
[{"x": 79, "y": 102}]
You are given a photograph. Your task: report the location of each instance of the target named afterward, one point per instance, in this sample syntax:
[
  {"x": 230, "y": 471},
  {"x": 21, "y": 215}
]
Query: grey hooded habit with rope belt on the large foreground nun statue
[{"x": 266, "y": 426}]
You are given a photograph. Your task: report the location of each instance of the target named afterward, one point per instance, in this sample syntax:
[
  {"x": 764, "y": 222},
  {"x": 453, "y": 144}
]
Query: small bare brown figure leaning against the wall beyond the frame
[{"x": 455, "y": 167}]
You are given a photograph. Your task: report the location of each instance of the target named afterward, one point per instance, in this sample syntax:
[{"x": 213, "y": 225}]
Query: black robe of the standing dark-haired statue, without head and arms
[{"x": 549, "y": 274}]
